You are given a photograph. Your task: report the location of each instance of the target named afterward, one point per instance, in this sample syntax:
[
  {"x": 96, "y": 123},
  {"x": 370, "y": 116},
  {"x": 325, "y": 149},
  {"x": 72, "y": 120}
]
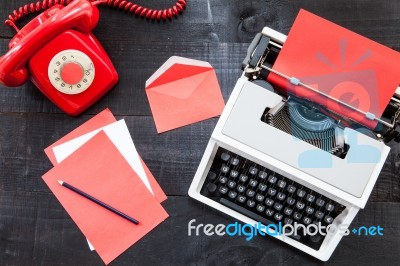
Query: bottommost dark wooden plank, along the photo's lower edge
[{"x": 35, "y": 230}]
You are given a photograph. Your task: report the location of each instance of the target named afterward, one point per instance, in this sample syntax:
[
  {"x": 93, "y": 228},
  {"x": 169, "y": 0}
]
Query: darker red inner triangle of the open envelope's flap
[{"x": 176, "y": 72}]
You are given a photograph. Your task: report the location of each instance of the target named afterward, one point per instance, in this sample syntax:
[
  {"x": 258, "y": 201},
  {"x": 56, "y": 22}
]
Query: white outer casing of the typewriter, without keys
[{"x": 241, "y": 131}]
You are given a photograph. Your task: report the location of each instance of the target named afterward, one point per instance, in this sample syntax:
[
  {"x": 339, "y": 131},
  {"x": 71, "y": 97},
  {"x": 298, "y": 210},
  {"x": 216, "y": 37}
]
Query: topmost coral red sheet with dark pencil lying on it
[{"x": 99, "y": 169}]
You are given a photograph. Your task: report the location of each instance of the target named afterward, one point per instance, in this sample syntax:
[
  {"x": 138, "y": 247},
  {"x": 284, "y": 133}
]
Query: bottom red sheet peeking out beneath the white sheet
[{"x": 100, "y": 120}]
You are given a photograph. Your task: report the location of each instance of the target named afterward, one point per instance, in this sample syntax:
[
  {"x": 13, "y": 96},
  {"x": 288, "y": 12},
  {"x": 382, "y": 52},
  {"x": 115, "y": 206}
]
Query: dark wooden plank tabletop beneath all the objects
[{"x": 35, "y": 229}]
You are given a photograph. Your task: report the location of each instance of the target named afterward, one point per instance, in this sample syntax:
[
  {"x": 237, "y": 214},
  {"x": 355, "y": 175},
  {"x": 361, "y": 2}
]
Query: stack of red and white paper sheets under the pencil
[{"x": 100, "y": 158}]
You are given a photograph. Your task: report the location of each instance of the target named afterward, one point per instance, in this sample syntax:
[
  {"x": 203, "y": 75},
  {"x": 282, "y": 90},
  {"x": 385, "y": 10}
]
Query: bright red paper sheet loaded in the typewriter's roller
[{"x": 340, "y": 63}]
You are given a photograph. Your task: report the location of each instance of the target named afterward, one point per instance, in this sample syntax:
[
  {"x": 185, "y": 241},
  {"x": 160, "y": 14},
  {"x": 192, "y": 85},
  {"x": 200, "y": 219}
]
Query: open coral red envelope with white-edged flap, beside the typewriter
[{"x": 183, "y": 91}]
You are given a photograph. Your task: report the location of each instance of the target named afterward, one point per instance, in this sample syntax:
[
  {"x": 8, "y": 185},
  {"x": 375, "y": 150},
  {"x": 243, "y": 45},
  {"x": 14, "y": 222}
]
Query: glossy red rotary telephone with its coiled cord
[{"x": 60, "y": 54}]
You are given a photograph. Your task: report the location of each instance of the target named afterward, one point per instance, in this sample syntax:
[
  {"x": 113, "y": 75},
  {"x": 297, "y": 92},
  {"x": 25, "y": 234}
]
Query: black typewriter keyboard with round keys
[{"x": 267, "y": 197}]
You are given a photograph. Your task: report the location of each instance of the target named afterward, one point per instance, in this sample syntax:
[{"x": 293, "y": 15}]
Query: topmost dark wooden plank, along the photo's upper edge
[{"x": 238, "y": 21}]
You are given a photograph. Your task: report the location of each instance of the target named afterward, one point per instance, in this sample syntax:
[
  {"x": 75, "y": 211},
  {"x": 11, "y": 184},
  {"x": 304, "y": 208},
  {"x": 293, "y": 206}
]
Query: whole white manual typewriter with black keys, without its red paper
[{"x": 256, "y": 167}]
